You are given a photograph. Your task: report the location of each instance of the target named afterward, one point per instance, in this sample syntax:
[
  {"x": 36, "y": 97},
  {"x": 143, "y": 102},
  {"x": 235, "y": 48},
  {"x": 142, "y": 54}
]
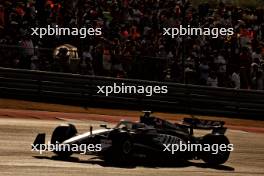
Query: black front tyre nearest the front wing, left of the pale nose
[{"x": 60, "y": 134}]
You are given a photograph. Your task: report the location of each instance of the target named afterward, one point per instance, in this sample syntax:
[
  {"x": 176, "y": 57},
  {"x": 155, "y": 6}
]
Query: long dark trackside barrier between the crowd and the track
[{"x": 82, "y": 90}]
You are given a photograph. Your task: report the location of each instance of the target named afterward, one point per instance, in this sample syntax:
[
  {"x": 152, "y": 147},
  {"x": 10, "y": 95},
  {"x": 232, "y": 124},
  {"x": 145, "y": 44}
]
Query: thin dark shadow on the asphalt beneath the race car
[{"x": 138, "y": 163}]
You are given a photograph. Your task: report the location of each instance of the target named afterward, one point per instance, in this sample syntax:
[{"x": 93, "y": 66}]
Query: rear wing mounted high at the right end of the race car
[{"x": 216, "y": 126}]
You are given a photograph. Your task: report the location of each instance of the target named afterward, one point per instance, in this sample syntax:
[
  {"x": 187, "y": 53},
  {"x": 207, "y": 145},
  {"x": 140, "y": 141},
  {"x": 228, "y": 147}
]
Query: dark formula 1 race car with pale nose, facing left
[{"x": 151, "y": 138}]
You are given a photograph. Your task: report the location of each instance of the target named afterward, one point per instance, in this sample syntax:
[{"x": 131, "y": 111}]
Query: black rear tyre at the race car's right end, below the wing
[{"x": 219, "y": 158}]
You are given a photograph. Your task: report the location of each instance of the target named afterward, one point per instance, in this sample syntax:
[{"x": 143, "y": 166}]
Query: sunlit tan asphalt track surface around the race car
[{"x": 17, "y": 133}]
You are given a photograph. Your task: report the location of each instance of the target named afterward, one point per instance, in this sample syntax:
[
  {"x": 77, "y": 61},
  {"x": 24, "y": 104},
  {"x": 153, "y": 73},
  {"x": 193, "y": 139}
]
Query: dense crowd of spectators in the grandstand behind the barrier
[{"x": 132, "y": 44}]
